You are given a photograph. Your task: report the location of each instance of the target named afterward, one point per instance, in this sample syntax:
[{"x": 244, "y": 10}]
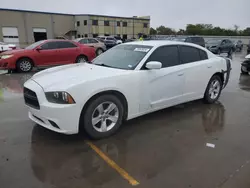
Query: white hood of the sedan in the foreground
[{"x": 70, "y": 75}]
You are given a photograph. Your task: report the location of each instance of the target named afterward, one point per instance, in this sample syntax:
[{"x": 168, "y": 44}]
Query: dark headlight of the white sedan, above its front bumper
[{"x": 59, "y": 97}]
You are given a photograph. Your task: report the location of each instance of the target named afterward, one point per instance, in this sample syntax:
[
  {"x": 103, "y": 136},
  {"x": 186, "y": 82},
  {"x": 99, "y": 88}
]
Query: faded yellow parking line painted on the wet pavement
[{"x": 111, "y": 163}]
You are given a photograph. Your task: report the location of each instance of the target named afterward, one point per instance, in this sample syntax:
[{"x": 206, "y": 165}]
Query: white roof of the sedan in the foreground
[{"x": 156, "y": 43}]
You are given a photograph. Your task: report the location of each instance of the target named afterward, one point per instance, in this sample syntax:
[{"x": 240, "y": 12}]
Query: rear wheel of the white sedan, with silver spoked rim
[{"x": 213, "y": 90}]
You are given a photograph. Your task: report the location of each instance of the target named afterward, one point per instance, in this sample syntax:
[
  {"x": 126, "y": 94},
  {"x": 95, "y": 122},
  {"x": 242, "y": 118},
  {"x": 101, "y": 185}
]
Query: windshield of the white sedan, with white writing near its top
[{"x": 123, "y": 56}]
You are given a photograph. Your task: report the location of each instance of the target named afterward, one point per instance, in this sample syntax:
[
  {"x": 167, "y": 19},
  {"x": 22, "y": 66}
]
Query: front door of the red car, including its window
[{"x": 48, "y": 55}]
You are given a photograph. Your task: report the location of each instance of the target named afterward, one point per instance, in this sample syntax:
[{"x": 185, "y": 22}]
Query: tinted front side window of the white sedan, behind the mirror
[{"x": 167, "y": 55}]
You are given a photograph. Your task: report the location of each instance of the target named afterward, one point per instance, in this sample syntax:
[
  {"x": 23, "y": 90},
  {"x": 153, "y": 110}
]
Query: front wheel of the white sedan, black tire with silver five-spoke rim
[{"x": 103, "y": 116}]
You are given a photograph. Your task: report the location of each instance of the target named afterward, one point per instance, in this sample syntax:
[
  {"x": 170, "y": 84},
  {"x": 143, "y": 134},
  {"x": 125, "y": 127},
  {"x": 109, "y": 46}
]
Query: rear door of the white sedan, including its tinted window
[{"x": 197, "y": 70}]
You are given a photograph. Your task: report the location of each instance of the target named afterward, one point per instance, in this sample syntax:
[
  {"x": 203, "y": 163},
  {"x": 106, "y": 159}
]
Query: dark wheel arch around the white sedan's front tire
[{"x": 116, "y": 93}]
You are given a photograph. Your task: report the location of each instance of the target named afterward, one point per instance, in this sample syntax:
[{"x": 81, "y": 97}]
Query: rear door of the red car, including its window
[{"x": 68, "y": 52}]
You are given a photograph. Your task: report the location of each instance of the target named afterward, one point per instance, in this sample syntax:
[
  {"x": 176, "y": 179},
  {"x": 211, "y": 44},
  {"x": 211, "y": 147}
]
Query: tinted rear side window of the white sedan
[{"x": 189, "y": 54}]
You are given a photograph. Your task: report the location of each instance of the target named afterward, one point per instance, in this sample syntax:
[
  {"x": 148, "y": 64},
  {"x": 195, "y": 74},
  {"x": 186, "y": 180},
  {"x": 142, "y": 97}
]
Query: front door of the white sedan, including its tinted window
[{"x": 164, "y": 86}]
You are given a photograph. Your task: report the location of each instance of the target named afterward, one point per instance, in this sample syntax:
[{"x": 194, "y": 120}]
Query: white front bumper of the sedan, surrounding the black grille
[{"x": 61, "y": 118}]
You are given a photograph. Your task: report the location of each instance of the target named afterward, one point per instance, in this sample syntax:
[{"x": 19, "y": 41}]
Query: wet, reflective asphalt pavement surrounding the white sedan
[{"x": 192, "y": 145}]
